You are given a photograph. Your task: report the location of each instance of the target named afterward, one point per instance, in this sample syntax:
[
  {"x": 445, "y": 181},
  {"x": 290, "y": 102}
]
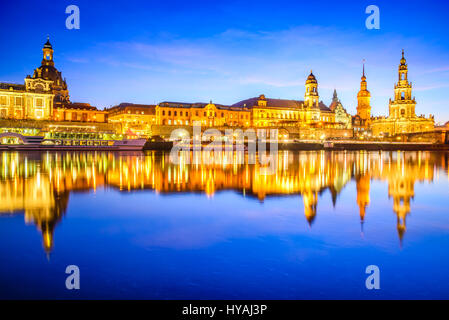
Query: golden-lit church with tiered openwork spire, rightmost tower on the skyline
[{"x": 402, "y": 117}]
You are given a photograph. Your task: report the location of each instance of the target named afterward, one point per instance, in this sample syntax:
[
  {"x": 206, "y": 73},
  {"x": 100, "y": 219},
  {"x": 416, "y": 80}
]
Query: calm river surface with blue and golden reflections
[{"x": 139, "y": 226}]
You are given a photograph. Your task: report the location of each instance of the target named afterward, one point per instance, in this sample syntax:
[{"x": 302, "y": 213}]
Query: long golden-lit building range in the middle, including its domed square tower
[{"x": 258, "y": 112}]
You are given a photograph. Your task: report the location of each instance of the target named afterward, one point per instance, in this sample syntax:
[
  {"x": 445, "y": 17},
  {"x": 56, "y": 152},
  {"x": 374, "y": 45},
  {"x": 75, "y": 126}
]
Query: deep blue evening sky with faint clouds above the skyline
[{"x": 226, "y": 51}]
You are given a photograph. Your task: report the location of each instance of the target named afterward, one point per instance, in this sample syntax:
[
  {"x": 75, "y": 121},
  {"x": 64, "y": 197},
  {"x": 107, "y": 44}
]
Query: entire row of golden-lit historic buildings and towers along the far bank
[{"x": 45, "y": 96}]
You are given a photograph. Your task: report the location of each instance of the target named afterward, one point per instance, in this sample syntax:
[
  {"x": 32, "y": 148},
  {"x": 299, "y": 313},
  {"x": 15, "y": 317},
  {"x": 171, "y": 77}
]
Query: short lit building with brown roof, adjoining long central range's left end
[{"x": 129, "y": 118}]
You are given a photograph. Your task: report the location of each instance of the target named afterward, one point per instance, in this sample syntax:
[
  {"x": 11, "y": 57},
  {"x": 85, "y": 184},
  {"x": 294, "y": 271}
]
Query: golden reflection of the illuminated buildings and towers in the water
[{"x": 39, "y": 184}]
